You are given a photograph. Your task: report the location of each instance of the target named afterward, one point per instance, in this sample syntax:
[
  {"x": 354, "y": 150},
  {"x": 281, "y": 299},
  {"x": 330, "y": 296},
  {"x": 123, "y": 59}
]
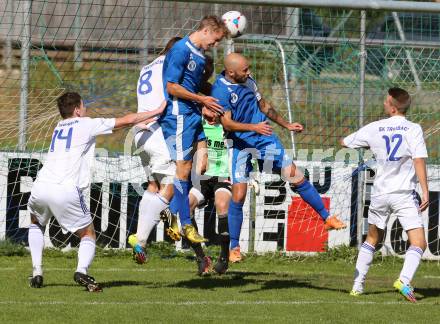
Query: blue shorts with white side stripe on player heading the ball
[{"x": 181, "y": 132}]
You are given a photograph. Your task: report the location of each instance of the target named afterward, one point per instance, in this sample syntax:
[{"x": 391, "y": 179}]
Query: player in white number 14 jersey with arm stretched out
[{"x": 58, "y": 189}]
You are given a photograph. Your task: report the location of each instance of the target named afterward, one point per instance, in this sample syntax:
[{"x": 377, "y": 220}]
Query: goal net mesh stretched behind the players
[{"x": 98, "y": 47}]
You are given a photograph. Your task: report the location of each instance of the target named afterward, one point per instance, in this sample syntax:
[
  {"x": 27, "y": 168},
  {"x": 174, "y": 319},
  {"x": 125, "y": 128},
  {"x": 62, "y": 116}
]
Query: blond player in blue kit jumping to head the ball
[{"x": 182, "y": 121}]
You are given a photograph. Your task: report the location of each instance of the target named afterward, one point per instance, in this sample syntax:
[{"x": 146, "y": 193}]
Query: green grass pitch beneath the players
[{"x": 261, "y": 289}]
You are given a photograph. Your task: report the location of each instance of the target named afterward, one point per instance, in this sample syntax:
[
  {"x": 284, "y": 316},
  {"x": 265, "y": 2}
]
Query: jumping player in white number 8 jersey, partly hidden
[{"x": 155, "y": 156}]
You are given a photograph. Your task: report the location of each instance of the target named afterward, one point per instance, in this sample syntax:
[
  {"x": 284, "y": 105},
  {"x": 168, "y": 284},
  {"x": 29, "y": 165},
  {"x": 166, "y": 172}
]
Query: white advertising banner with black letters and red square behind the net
[{"x": 275, "y": 218}]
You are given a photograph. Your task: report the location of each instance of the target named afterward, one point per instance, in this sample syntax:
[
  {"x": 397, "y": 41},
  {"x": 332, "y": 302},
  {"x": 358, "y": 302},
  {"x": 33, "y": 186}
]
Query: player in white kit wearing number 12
[{"x": 400, "y": 152}]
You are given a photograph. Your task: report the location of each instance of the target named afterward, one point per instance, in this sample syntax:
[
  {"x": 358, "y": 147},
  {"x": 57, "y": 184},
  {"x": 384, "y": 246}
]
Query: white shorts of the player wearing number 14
[{"x": 65, "y": 203}]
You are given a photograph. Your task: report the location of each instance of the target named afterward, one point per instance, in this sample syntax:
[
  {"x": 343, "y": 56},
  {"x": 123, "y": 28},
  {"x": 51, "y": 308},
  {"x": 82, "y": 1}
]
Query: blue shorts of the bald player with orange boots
[{"x": 270, "y": 155}]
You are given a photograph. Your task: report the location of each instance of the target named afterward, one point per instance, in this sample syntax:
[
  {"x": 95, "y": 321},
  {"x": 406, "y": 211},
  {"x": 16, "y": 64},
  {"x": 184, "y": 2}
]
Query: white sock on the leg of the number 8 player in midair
[{"x": 149, "y": 215}]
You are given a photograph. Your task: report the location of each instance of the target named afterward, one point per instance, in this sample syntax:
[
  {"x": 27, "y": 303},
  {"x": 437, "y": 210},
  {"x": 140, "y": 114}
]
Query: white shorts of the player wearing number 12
[{"x": 404, "y": 205}]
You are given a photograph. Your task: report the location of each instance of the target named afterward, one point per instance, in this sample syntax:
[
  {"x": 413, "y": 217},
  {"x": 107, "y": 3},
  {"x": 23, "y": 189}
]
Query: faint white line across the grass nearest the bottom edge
[{"x": 219, "y": 303}]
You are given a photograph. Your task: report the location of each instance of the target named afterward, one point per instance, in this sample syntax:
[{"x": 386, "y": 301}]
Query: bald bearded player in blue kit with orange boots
[{"x": 246, "y": 119}]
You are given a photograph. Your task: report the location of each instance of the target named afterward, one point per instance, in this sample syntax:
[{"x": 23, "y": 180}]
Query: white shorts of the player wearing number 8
[{"x": 155, "y": 156}]
